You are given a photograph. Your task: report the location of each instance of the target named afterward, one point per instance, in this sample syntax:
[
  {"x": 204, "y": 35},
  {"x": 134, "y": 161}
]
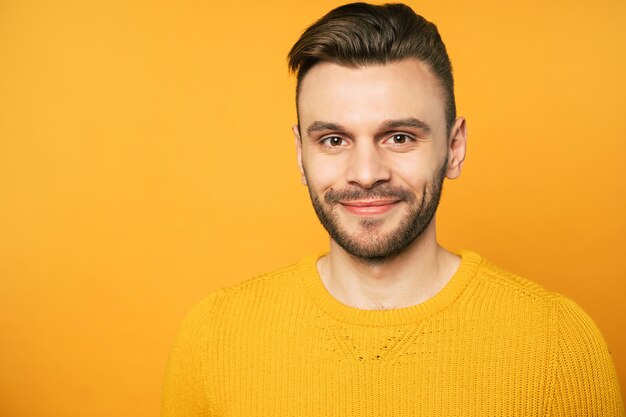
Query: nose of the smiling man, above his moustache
[{"x": 367, "y": 166}]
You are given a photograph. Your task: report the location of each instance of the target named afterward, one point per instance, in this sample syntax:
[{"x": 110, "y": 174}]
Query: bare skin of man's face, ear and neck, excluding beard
[{"x": 366, "y": 127}]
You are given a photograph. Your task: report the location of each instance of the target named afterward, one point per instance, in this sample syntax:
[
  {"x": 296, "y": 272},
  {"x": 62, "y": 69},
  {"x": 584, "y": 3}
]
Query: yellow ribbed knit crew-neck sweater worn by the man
[{"x": 489, "y": 344}]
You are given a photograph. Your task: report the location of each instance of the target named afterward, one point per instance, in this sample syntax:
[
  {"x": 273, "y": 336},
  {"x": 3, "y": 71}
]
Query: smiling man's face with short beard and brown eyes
[{"x": 373, "y": 150}]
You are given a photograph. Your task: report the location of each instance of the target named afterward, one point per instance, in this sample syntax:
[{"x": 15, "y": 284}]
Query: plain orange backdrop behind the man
[{"x": 146, "y": 159}]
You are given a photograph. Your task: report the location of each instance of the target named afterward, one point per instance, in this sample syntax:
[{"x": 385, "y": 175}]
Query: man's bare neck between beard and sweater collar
[{"x": 410, "y": 278}]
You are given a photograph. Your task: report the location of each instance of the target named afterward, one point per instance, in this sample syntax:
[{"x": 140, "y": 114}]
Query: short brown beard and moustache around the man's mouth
[{"x": 370, "y": 245}]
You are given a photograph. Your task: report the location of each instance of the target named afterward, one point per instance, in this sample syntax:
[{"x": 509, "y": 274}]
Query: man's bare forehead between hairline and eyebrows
[{"x": 368, "y": 95}]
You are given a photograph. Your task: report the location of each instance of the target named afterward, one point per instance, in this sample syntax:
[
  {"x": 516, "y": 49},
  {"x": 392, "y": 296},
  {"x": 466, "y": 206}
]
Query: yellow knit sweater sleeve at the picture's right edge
[{"x": 585, "y": 381}]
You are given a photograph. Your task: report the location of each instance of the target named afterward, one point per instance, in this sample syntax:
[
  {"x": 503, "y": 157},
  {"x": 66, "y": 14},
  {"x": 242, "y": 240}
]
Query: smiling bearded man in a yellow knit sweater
[{"x": 387, "y": 322}]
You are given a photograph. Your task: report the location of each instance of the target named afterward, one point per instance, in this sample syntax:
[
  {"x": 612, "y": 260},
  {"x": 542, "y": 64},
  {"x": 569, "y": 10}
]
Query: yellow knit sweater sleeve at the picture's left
[{"x": 185, "y": 392}]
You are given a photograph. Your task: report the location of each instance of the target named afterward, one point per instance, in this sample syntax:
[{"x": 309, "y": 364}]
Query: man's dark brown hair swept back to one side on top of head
[{"x": 360, "y": 34}]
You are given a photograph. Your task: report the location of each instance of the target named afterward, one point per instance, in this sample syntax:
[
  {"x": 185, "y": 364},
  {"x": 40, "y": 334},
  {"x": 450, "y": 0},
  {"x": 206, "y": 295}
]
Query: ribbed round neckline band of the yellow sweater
[{"x": 312, "y": 281}]
